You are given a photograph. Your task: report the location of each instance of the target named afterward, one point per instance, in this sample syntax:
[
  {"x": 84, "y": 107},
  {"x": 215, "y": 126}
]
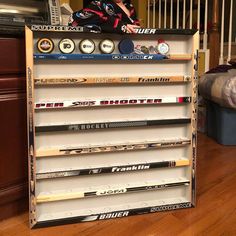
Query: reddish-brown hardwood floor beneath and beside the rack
[{"x": 214, "y": 215}]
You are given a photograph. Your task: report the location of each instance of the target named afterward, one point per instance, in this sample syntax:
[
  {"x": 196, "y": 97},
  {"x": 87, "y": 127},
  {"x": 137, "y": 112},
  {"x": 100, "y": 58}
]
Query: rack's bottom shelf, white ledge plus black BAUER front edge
[{"x": 137, "y": 208}]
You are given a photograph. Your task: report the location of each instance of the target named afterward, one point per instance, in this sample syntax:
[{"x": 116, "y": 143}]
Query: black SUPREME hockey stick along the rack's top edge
[{"x": 142, "y": 31}]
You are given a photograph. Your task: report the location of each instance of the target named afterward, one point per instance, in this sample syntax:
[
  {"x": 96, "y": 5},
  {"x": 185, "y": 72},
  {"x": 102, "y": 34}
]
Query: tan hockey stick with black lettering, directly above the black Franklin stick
[{"x": 113, "y": 148}]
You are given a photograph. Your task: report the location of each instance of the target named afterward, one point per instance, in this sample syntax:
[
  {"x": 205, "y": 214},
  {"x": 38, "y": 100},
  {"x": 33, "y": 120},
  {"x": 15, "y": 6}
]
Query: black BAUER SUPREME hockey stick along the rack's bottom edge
[{"x": 114, "y": 214}]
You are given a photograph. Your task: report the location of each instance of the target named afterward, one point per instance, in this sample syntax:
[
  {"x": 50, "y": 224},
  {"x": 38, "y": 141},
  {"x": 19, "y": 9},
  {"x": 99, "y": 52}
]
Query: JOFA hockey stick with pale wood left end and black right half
[{"x": 108, "y": 191}]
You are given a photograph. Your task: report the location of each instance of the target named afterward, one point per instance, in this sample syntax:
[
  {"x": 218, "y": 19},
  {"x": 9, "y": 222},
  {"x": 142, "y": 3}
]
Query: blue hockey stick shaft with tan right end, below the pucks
[{"x": 112, "y": 57}]
